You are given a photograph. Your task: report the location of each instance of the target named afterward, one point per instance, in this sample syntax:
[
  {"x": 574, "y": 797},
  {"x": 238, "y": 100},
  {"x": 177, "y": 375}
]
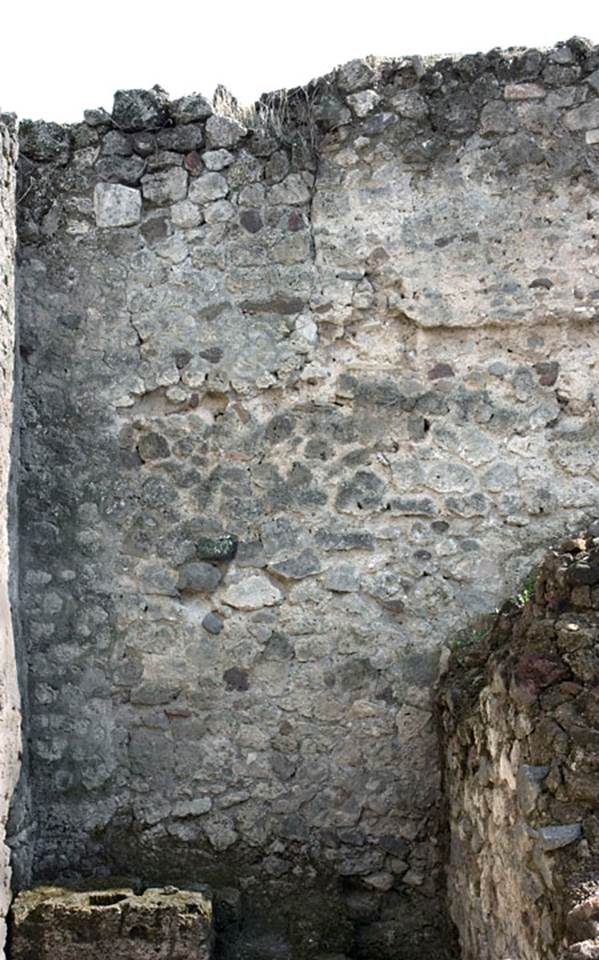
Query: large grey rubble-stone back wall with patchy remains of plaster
[{"x": 306, "y": 388}]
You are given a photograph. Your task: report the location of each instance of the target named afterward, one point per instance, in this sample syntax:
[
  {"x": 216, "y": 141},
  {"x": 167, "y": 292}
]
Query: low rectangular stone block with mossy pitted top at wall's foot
[{"x": 54, "y": 923}]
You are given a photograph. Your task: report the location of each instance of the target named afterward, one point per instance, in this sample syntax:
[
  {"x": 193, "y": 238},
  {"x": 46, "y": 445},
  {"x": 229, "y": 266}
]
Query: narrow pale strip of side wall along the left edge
[{"x": 10, "y": 733}]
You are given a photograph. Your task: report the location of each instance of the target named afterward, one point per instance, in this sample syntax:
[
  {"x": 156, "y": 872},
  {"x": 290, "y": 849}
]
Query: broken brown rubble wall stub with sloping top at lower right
[{"x": 520, "y": 717}]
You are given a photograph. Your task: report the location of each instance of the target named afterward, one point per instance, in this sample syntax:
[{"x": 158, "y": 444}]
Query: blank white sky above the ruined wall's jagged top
[{"x": 58, "y": 57}]
